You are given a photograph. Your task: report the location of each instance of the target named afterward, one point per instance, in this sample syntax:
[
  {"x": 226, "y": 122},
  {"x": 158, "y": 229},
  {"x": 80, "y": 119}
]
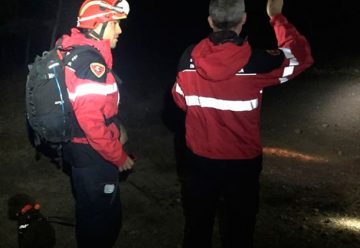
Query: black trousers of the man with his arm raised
[{"x": 231, "y": 184}]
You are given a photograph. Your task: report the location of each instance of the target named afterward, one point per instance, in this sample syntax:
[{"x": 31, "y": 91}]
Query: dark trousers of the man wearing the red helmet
[{"x": 95, "y": 186}]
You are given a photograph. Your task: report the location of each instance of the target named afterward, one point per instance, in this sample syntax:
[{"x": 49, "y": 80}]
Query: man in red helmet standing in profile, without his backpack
[{"x": 96, "y": 152}]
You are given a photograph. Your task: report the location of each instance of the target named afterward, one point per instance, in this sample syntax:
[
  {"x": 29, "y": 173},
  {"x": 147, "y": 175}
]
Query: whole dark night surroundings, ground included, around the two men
[{"x": 317, "y": 114}]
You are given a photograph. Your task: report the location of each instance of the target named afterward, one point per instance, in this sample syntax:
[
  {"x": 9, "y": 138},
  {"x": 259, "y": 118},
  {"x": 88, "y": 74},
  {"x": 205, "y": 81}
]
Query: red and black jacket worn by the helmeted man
[{"x": 94, "y": 95}]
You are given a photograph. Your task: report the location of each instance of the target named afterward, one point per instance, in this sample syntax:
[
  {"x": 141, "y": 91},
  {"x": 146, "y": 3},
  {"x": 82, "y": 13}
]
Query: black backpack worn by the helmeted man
[{"x": 49, "y": 114}]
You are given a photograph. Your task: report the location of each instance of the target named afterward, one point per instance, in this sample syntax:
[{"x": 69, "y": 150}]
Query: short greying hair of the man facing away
[{"x": 226, "y": 14}]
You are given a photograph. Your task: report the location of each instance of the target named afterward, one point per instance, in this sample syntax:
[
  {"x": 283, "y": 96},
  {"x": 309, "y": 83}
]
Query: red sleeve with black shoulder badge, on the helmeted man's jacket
[{"x": 89, "y": 91}]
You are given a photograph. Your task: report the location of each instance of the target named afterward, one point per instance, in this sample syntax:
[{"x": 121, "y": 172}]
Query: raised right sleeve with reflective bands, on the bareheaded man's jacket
[{"x": 296, "y": 50}]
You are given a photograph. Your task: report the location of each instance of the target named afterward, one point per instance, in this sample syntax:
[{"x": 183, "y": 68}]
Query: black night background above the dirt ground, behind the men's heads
[{"x": 160, "y": 30}]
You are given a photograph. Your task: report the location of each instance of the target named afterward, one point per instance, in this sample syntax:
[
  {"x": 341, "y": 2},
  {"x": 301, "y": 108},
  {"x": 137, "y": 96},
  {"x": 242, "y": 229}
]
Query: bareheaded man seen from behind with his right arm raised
[{"x": 219, "y": 85}]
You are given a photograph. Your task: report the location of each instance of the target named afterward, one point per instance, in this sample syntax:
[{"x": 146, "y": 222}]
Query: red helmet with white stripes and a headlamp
[{"x": 94, "y": 12}]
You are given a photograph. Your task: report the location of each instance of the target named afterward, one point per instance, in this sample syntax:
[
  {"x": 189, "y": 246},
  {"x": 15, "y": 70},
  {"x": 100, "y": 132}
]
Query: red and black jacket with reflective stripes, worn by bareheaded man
[{"x": 219, "y": 84}]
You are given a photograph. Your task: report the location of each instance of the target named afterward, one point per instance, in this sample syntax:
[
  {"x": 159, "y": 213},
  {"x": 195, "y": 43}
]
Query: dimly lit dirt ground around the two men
[{"x": 310, "y": 194}]
